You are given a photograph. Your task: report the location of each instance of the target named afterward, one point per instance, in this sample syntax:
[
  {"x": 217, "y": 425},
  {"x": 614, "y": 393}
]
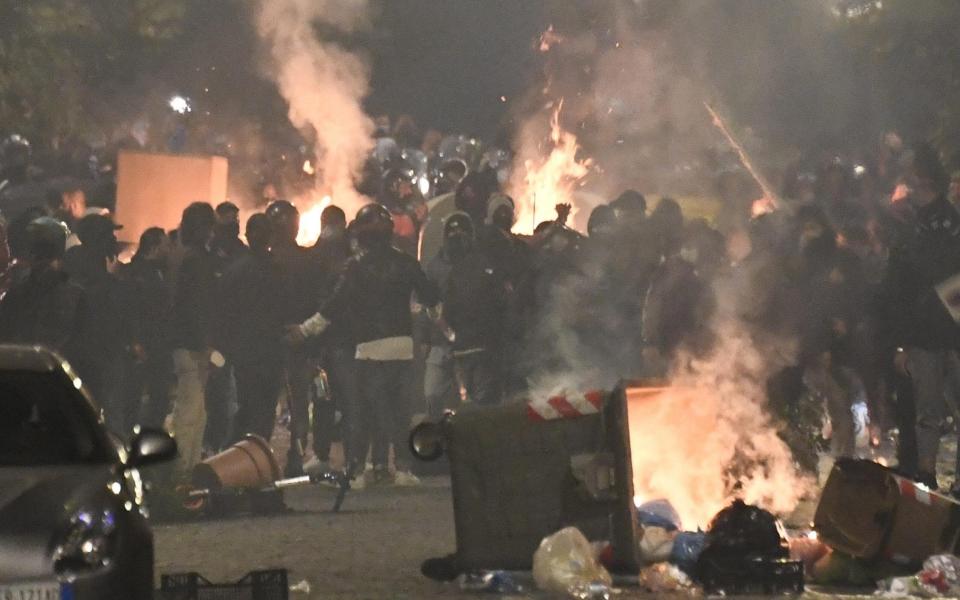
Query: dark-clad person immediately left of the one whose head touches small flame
[{"x": 252, "y": 331}]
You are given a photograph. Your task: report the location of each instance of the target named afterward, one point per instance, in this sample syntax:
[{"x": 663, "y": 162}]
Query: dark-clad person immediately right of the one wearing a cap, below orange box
[{"x": 148, "y": 291}]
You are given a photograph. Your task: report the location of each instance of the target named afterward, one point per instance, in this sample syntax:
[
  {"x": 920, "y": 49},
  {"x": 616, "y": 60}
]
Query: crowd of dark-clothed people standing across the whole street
[{"x": 422, "y": 304}]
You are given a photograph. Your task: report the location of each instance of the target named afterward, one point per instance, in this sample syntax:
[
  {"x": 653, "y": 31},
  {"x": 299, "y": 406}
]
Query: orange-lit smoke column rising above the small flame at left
[{"x": 324, "y": 85}]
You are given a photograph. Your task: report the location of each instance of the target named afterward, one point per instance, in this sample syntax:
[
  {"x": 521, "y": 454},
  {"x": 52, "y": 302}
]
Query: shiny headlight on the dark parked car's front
[{"x": 87, "y": 543}]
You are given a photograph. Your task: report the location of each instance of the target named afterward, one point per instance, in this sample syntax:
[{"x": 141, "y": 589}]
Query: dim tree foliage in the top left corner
[{"x": 60, "y": 60}]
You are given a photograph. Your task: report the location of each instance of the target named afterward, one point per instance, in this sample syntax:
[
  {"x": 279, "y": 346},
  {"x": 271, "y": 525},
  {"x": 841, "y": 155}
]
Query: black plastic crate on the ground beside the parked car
[{"x": 255, "y": 585}]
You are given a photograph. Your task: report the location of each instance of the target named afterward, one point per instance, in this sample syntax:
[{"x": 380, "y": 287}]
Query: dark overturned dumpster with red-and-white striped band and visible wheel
[{"x": 520, "y": 473}]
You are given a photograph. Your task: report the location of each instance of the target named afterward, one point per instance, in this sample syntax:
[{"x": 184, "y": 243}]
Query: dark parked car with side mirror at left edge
[{"x": 73, "y": 524}]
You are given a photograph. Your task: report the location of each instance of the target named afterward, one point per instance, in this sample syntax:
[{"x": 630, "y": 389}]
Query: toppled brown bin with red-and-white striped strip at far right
[{"x": 868, "y": 511}]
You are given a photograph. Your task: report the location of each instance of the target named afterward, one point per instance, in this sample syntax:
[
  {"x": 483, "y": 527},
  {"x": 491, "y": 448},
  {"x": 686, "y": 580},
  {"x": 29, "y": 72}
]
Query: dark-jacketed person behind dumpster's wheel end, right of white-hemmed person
[{"x": 475, "y": 301}]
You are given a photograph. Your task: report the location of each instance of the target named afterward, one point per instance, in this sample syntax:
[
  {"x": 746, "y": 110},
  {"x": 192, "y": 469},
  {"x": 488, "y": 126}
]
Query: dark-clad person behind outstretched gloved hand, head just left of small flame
[{"x": 298, "y": 294}]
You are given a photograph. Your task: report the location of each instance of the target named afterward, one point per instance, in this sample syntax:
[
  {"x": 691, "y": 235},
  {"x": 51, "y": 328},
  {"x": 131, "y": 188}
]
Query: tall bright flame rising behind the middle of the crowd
[{"x": 542, "y": 183}]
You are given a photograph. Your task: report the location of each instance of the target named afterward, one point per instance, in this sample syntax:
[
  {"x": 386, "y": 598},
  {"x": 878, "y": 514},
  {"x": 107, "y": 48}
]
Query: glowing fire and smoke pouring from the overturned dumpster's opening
[{"x": 708, "y": 438}]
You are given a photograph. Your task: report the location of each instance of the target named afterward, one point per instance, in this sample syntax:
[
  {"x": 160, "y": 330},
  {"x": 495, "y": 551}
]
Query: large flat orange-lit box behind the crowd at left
[{"x": 153, "y": 189}]
